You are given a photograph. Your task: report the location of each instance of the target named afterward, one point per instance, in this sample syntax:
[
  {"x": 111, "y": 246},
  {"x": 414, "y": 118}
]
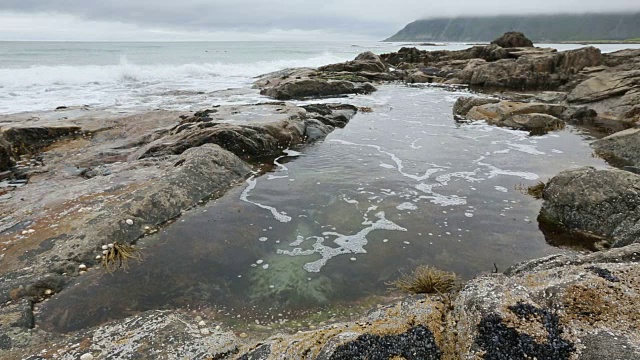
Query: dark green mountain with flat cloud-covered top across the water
[{"x": 539, "y": 28}]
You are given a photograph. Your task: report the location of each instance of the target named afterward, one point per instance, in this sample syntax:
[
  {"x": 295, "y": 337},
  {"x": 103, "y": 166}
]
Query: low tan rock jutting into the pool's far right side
[{"x": 535, "y": 117}]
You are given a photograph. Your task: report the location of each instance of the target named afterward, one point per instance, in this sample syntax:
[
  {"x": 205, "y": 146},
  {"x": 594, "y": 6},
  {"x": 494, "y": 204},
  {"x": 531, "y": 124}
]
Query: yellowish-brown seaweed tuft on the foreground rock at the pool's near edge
[{"x": 426, "y": 280}]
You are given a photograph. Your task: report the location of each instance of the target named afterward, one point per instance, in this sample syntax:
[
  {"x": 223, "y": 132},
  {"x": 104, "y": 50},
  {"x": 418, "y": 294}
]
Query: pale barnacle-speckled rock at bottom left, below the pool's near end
[{"x": 151, "y": 335}]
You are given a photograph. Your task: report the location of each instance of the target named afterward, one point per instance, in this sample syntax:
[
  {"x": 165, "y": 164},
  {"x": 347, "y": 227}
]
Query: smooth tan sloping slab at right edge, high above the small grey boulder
[{"x": 605, "y": 85}]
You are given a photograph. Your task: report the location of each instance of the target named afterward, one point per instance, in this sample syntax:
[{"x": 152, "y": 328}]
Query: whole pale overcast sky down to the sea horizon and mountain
[{"x": 252, "y": 19}]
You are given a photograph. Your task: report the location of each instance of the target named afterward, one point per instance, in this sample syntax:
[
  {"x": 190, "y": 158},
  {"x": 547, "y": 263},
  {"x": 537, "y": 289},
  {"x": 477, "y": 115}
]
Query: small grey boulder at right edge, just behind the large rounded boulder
[{"x": 621, "y": 148}]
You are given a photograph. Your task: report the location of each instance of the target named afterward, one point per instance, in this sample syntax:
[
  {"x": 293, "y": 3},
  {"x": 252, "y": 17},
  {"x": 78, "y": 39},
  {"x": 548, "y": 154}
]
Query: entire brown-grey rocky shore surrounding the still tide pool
[{"x": 74, "y": 181}]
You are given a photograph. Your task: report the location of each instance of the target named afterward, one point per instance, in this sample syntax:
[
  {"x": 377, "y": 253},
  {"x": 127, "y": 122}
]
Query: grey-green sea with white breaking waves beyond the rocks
[{"x": 133, "y": 76}]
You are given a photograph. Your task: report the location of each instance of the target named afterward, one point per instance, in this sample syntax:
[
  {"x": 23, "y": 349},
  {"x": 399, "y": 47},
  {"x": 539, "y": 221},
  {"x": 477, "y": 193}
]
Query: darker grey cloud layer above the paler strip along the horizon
[{"x": 371, "y": 17}]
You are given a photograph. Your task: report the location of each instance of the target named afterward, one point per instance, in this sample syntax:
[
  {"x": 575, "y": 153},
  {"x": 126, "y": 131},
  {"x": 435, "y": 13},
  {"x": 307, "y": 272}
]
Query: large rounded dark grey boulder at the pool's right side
[{"x": 601, "y": 203}]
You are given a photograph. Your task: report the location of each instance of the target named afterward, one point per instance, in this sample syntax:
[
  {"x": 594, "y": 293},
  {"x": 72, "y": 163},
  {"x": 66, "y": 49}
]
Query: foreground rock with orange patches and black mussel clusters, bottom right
[{"x": 559, "y": 307}]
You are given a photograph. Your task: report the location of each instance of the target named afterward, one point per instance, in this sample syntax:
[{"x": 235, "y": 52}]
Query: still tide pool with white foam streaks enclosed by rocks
[{"x": 399, "y": 187}]
